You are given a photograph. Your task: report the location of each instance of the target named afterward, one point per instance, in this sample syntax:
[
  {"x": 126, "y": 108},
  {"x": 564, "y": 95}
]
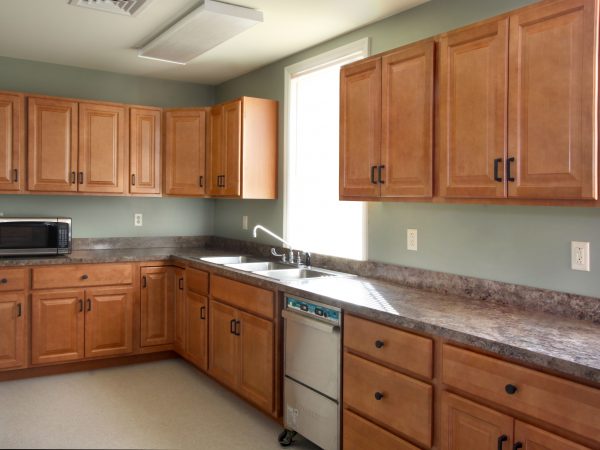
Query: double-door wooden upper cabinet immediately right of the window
[{"x": 386, "y": 124}]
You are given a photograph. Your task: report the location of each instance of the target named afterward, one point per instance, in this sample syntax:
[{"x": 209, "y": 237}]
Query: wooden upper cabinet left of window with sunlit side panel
[{"x": 242, "y": 149}]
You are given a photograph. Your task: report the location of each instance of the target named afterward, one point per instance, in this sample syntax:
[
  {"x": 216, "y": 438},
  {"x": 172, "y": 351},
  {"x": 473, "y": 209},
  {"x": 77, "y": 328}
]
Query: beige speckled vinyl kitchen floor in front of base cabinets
[{"x": 159, "y": 405}]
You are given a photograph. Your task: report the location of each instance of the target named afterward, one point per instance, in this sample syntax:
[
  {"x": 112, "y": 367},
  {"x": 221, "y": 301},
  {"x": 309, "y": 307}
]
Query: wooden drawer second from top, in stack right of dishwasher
[{"x": 405, "y": 405}]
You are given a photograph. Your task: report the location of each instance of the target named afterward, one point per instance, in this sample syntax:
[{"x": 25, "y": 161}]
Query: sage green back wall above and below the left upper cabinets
[{"x": 109, "y": 216}]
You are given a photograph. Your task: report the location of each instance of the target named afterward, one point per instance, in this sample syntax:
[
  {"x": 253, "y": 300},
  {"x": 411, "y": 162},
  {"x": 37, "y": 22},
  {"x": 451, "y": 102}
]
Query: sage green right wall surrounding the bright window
[{"x": 524, "y": 245}]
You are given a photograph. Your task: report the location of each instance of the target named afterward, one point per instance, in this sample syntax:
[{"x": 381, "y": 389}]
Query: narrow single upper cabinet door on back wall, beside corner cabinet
[{"x": 144, "y": 160}]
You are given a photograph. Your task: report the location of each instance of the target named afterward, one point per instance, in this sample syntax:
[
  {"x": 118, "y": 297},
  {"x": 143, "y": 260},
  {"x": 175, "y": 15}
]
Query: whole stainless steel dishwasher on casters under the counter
[{"x": 312, "y": 341}]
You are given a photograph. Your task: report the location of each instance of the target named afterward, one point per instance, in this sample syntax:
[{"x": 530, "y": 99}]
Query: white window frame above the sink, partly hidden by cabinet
[{"x": 308, "y": 65}]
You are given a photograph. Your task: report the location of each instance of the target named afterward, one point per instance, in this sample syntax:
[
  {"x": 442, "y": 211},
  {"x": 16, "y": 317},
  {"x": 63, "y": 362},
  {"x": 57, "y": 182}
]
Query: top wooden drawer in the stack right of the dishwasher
[{"x": 389, "y": 345}]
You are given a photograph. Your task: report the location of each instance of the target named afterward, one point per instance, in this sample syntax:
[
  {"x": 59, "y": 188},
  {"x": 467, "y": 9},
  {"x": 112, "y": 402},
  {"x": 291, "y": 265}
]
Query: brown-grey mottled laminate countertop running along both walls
[{"x": 563, "y": 345}]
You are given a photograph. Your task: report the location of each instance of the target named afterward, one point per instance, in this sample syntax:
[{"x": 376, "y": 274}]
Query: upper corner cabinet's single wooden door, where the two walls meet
[{"x": 185, "y": 151}]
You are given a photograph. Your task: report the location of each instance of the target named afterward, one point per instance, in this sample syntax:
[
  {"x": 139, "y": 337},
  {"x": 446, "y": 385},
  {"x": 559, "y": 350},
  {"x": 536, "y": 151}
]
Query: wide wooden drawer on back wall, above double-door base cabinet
[{"x": 81, "y": 275}]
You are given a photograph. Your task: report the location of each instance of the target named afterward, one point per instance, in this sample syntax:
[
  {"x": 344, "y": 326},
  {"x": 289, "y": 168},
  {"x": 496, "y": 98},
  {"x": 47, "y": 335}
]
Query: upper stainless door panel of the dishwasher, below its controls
[{"x": 312, "y": 353}]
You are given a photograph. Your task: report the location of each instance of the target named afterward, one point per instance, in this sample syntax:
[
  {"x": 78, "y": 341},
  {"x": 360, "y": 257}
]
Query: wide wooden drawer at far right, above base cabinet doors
[{"x": 566, "y": 404}]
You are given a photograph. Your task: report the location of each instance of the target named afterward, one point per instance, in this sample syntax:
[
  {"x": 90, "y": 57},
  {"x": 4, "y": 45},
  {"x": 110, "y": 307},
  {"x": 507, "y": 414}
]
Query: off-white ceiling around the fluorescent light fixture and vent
[{"x": 53, "y": 31}]
